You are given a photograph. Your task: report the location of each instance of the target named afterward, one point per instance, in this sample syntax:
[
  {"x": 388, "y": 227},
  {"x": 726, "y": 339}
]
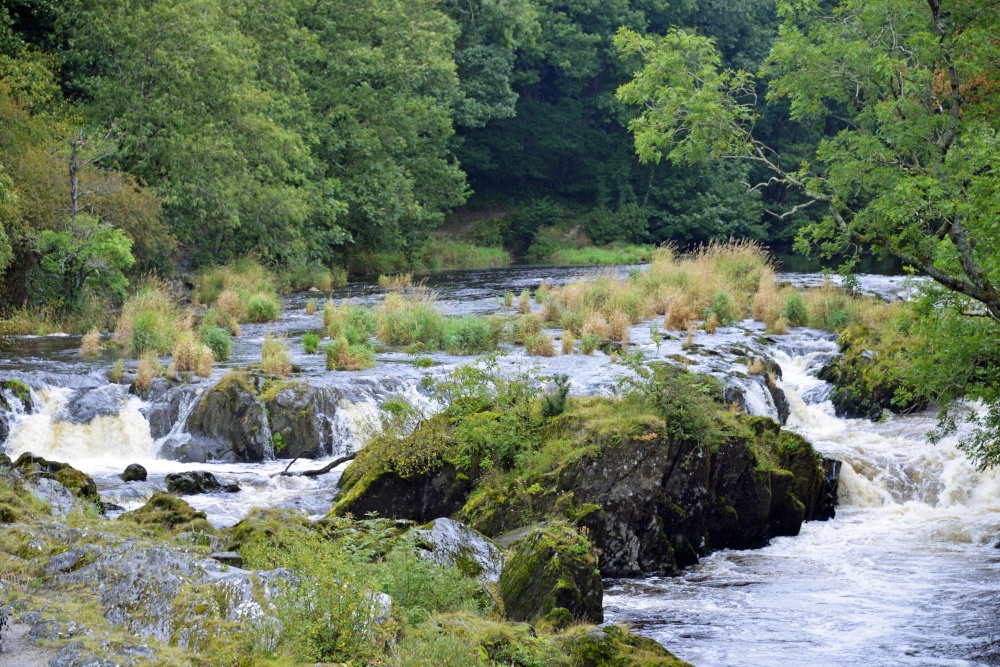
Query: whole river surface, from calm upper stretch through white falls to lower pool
[{"x": 906, "y": 574}]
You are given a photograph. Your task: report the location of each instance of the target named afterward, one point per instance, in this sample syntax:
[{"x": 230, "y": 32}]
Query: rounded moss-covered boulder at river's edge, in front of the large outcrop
[{"x": 549, "y": 569}]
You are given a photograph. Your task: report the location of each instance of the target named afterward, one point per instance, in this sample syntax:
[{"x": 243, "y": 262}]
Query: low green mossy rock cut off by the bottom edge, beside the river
[{"x": 613, "y": 646}]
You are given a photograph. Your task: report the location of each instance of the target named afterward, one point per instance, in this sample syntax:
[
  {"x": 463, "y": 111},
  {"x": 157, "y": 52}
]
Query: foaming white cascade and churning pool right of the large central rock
[{"x": 906, "y": 574}]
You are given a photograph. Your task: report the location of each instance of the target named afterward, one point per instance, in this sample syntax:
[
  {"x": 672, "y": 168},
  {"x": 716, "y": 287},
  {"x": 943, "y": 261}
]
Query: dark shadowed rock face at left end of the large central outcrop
[{"x": 421, "y": 497}]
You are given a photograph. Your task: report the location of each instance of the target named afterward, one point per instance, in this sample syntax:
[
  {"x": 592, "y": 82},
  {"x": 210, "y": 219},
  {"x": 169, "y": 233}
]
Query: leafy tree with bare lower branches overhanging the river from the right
[{"x": 909, "y": 165}]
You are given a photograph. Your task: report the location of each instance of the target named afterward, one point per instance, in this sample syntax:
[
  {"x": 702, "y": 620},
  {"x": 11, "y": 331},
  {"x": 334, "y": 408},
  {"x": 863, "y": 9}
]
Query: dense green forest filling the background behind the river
[{"x": 311, "y": 132}]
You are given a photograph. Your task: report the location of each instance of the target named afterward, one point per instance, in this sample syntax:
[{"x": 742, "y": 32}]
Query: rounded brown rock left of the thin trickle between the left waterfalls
[{"x": 231, "y": 424}]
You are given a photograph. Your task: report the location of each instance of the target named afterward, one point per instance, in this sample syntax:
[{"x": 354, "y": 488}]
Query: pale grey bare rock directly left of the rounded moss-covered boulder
[{"x": 450, "y": 543}]
